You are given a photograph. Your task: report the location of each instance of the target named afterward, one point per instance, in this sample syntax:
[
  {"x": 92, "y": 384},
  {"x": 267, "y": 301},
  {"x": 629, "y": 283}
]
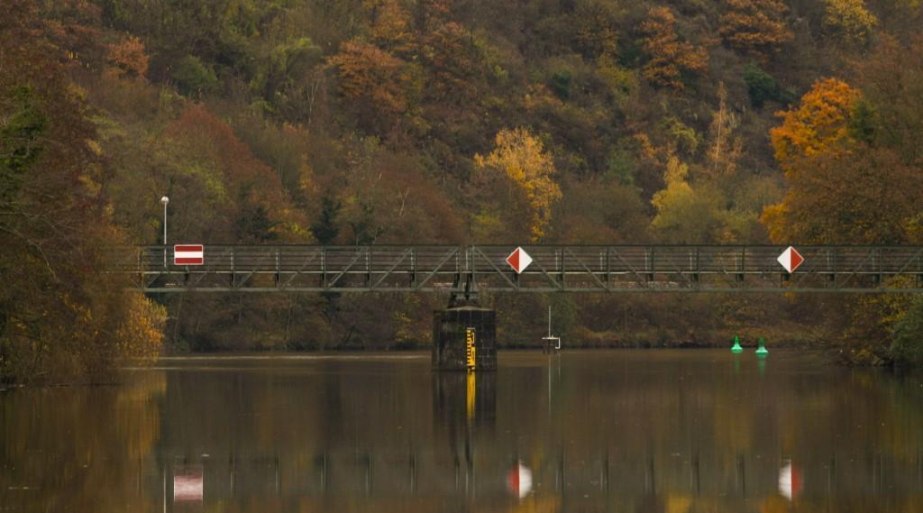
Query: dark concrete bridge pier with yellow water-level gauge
[{"x": 465, "y": 334}]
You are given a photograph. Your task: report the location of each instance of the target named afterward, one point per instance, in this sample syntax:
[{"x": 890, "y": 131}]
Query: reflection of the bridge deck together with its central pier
[{"x": 462, "y": 467}]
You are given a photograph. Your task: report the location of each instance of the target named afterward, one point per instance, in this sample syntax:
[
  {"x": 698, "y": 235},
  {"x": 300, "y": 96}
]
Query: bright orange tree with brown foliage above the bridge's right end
[{"x": 842, "y": 188}]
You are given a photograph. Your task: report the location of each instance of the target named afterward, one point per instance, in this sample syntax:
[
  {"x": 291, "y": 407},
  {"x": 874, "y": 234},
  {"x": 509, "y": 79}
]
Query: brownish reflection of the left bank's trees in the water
[{"x": 81, "y": 449}]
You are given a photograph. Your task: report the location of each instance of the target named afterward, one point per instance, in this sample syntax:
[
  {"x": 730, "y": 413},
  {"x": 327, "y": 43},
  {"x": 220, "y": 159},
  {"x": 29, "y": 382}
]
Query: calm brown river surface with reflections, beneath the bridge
[{"x": 620, "y": 431}]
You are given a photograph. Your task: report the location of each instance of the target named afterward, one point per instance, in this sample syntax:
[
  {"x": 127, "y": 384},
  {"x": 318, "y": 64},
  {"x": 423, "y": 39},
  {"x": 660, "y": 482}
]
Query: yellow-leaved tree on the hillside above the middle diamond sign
[{"x": 522, "y": 158}]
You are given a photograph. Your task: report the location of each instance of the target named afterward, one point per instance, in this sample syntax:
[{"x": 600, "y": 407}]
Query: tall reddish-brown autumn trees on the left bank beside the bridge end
[{"x": 61, "y": 319}]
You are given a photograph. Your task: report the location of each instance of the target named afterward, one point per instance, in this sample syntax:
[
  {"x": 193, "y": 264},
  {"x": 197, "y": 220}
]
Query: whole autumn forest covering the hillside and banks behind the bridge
[{"x": 361, "y": 122}]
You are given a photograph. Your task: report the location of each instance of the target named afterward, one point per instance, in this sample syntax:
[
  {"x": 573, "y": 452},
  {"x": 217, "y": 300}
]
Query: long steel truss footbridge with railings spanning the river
[{"x": 469, "y": 269}]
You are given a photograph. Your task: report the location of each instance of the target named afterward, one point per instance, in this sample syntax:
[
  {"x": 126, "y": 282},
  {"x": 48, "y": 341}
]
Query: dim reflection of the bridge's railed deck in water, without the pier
[{"x": 600, "y": 475}]
